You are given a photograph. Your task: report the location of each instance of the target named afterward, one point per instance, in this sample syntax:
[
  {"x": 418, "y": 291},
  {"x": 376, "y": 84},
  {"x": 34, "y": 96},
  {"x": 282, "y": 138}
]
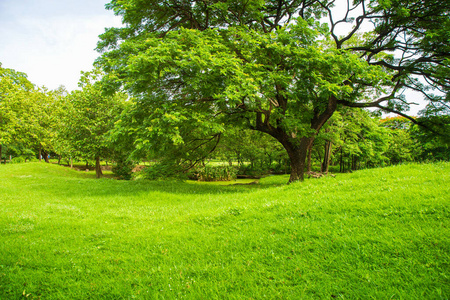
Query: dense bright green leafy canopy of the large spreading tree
[{"x": 284, "y": 80}]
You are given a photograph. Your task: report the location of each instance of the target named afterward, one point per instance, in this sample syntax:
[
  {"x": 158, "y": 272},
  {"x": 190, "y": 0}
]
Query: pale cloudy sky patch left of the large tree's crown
[{"x": 52, "y": 41}]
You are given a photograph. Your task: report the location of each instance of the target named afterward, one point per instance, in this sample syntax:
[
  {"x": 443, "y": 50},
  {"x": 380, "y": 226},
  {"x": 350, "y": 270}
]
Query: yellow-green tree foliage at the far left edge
[{"x": 29, "y": 115}]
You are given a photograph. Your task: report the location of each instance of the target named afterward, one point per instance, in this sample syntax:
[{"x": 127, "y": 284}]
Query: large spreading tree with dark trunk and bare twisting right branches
[{"x": 281, "y": 67}]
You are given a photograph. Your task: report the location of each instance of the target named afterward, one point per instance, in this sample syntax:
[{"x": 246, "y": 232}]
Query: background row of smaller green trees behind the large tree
[{"x": 87, "y": 125}]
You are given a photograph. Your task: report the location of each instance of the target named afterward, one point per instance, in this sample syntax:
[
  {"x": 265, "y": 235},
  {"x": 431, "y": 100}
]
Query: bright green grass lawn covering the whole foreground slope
[{"x": 373, "y": 234}]
